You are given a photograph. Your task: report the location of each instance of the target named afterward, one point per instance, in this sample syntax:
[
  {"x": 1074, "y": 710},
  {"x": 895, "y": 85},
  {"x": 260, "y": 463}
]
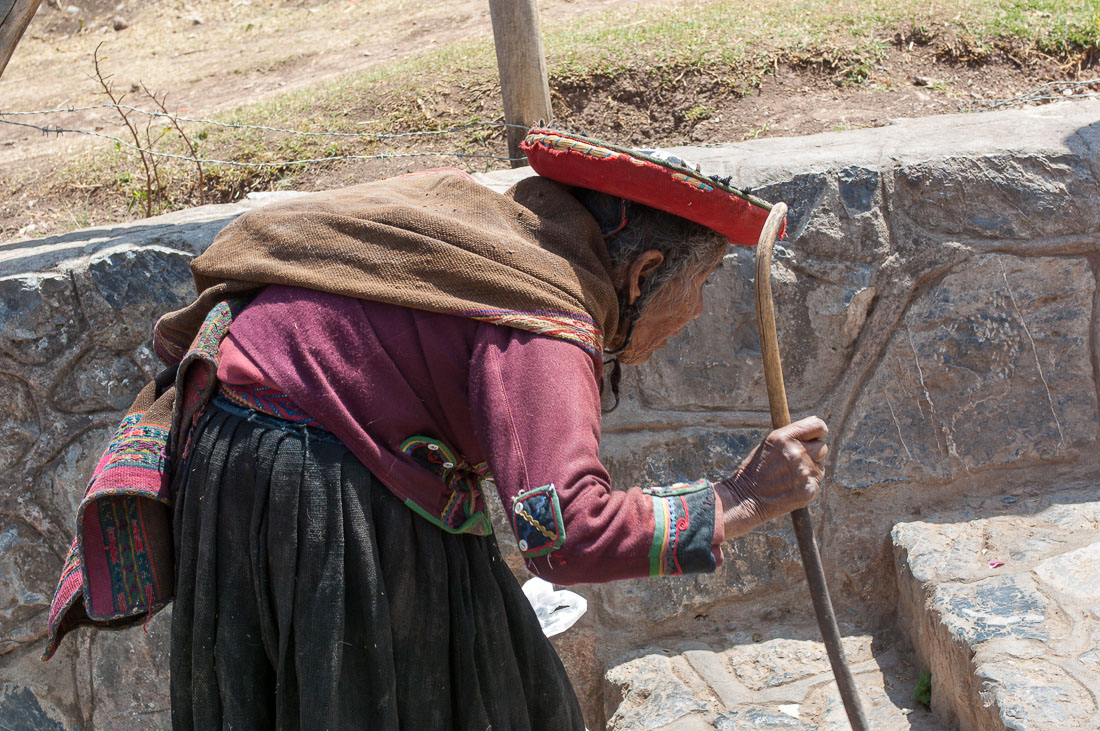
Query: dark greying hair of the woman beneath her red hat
[{"x": 632, "y": 229}]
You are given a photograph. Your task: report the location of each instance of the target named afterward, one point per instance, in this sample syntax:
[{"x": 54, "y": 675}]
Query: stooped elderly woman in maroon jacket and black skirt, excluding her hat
[{"x": 410, "y": 349}]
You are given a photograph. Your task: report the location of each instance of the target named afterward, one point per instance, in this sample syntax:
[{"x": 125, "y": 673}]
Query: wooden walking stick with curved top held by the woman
[{"x": 804, "y": 527}]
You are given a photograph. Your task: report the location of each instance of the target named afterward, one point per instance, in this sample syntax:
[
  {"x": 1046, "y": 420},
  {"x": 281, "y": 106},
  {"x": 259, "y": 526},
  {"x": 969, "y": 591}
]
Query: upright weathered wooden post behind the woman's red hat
[{"x": 522, "y": 64}]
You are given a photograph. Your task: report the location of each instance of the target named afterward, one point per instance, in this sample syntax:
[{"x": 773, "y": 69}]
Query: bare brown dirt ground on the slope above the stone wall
[{"x": 211, "y": 57}]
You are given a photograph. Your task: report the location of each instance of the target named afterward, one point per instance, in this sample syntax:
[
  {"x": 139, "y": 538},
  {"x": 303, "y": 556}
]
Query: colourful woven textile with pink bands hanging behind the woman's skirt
[{"x": 119, "y": 570}]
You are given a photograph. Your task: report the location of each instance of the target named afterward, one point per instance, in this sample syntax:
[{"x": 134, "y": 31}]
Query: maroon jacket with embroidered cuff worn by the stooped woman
[{"x": 436, "y": 406}]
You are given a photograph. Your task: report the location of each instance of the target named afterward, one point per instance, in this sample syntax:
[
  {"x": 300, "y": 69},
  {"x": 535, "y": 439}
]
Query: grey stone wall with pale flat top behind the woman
[{"x": 936, "y": 303}]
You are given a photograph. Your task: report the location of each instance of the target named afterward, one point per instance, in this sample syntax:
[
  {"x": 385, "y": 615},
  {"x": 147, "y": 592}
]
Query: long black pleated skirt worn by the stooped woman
[{"x": 310, "y": 597}]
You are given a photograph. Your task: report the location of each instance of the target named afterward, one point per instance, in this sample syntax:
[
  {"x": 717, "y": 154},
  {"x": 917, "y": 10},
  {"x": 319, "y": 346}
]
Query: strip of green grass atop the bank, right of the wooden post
[{"x": 731, "y": 36}]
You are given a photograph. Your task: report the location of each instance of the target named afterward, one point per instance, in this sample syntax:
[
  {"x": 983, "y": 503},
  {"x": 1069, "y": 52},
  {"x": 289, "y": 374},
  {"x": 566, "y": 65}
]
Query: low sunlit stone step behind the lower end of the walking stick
[{"x": 773, "y": 678}]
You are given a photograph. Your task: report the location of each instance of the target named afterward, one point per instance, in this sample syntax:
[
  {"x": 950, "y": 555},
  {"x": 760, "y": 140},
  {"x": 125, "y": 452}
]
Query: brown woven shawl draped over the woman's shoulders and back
[{"x": 532, "y": 259}]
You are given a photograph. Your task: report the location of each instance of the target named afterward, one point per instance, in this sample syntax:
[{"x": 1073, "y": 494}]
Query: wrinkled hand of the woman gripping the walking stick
[{"x": 782, "y": 475}]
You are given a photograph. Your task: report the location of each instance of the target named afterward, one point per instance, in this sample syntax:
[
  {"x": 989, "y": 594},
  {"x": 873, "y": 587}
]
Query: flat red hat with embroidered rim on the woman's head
[{"x": 646, "y": 178}]
